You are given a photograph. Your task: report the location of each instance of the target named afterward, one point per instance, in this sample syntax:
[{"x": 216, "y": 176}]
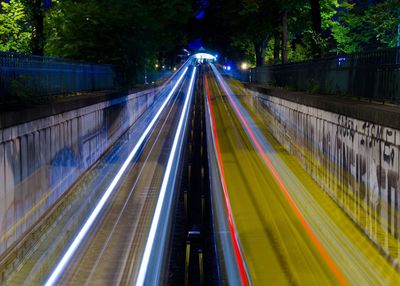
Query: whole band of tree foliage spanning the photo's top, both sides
[{"x": 136, "y": 33}]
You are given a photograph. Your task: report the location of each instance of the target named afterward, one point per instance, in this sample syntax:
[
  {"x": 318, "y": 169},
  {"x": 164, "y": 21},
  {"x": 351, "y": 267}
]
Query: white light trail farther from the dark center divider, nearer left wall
[{"x": 55, "y": 275}]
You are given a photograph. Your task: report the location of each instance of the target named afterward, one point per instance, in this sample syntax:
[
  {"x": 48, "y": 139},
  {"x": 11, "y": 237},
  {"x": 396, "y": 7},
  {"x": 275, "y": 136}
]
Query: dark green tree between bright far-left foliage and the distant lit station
[{"x": 127, "y": 33}]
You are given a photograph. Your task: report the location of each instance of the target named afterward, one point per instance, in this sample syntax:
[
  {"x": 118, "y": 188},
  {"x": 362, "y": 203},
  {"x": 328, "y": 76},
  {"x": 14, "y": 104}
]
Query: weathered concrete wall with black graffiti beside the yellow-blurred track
[{"x": 355, "y": 161}]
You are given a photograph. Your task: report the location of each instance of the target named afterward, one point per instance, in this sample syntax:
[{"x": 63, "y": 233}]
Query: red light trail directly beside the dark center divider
[{"x": 232, "y": 231}]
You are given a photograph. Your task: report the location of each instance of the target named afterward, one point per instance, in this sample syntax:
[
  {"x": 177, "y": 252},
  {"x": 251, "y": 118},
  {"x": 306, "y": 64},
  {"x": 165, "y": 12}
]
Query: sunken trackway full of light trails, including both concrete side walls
[{"x": 201, "y": 176}]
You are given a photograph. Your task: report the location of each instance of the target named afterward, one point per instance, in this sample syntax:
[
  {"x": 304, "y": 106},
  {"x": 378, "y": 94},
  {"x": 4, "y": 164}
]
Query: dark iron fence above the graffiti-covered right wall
[{"x": 373, "y": 75}]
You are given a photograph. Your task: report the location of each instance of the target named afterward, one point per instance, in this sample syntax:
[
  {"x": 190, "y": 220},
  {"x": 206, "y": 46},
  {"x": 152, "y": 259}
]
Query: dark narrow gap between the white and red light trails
[{"x": 193, "y": 258}]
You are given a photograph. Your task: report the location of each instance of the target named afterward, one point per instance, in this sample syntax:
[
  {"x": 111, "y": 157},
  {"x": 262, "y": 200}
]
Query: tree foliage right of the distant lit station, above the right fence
[{"x": 314, "y": 27}]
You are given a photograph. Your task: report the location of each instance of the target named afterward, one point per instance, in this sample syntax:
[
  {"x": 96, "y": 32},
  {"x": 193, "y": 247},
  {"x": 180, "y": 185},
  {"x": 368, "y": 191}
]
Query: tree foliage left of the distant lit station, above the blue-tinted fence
[{"x": 127, "y": 33}]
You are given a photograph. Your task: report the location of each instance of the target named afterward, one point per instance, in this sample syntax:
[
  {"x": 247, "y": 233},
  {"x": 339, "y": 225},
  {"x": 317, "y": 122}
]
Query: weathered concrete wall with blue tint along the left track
[{"x": 41, "y": 159}]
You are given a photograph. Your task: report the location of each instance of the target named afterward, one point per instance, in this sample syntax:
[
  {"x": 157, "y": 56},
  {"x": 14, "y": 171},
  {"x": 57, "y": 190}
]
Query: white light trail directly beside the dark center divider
[{"x": 166, "y": 179}]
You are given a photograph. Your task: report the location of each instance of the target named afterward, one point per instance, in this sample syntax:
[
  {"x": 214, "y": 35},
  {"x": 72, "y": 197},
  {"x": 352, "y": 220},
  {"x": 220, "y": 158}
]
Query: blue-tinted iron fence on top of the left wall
[{"x": 28, "y": 75}]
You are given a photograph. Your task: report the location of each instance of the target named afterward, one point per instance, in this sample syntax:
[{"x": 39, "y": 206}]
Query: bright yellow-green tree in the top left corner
[{"x": 15, "y": 33}]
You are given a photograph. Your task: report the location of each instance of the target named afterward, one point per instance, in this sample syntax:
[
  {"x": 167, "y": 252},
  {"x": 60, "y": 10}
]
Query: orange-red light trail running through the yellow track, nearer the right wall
[{"x": 329, "y": 261}]
